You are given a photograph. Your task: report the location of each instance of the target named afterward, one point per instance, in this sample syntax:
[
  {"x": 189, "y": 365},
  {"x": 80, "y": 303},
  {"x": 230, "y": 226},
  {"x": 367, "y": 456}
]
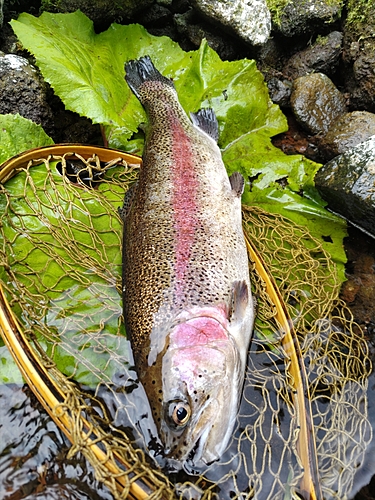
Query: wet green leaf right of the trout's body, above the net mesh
[{"x": 285, "y": 185}]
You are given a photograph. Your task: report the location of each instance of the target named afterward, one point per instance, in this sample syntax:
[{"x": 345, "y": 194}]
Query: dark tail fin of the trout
[{"x": 139, "y": 71}]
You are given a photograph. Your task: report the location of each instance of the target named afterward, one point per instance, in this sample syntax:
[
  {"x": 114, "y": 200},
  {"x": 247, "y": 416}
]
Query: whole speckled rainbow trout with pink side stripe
[{"x": 187, "y": 302}]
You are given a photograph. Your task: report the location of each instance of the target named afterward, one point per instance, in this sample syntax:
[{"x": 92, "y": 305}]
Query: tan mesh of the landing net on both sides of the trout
[{"x": 60, "y": 254}]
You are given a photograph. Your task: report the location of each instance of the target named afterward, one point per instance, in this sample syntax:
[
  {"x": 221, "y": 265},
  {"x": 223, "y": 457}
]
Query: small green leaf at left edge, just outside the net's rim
[{"x": 18, "y": 134}]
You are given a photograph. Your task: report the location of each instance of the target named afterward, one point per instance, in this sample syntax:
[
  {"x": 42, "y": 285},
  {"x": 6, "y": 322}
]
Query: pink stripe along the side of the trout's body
[{"x": 184, "y": 201}]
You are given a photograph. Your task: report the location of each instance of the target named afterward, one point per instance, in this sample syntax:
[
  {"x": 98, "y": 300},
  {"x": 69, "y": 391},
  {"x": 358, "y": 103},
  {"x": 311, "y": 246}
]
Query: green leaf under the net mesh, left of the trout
[{"x": 60, "y": 254}]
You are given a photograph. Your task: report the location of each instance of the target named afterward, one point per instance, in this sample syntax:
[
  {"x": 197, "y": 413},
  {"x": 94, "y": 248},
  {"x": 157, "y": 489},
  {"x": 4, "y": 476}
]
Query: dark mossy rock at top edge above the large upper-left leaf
[{"x": 101, "y": 12}]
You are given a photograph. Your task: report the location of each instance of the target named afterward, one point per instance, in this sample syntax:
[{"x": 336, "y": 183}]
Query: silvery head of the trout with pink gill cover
[{"x": 202, "y": 385}]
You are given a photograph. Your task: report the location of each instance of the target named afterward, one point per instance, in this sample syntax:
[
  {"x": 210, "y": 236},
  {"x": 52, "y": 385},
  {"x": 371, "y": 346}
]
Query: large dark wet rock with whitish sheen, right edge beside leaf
[{"x": 347, "y": 184}]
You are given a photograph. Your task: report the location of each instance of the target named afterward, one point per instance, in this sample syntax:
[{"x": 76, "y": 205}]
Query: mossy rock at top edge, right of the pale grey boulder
[{"x": 297, "y": 17}]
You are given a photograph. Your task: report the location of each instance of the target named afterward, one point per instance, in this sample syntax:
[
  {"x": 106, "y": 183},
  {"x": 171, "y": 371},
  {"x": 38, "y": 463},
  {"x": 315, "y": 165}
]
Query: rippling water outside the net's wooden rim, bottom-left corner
[{"x": 33, "y": 454}]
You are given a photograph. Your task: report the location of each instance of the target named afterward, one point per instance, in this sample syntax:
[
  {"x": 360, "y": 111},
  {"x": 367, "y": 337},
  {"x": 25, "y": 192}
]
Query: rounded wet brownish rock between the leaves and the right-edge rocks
[{"x": 316, "y": 102}]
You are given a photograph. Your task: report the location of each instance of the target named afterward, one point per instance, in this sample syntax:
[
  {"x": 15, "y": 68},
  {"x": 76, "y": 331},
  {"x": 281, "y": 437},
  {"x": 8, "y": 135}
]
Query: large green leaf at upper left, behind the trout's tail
[{"x": 87, "y": 70}]
